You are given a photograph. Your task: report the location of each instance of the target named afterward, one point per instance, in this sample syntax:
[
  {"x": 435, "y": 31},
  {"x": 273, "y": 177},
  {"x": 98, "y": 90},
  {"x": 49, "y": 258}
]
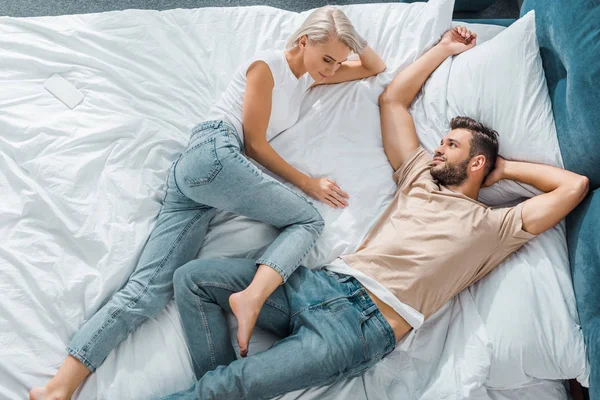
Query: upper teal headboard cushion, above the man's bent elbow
[{"x": 569, "y": 37}]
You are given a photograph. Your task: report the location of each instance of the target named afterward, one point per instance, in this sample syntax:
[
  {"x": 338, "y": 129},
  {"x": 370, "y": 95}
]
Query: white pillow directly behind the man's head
[{"x": 501, "y": 84}]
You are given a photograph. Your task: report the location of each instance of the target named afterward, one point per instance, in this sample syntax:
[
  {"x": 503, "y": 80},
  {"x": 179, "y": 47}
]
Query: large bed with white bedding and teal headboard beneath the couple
[{"x": 81, "y": 189}]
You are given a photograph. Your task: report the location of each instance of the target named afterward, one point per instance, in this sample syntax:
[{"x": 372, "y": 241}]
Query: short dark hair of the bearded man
[{"x": 483, "y": 142}]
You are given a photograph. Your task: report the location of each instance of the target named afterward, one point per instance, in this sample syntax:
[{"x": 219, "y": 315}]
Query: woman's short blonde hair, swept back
[{"x": 325, "y": 23}]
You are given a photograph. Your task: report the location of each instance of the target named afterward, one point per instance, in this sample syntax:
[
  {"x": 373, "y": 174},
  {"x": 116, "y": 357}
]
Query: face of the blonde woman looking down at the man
[{"x": 322, "y": 60}]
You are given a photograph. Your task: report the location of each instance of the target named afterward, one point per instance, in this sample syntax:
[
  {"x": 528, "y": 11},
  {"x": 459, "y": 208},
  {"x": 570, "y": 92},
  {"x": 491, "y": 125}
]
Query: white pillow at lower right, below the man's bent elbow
[{"x": 528, "y": 308}]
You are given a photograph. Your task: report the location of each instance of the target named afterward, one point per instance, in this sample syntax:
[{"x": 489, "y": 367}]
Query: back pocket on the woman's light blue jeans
[{"x": 200, "y": 163}]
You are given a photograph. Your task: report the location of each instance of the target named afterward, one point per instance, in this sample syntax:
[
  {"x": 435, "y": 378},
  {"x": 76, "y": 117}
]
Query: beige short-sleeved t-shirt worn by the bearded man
[{"x": 431, "y": 242}]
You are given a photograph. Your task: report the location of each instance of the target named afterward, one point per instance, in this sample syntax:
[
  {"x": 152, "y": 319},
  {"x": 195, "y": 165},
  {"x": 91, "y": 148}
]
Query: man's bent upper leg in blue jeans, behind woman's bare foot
[{"x": 202, "y": 291}]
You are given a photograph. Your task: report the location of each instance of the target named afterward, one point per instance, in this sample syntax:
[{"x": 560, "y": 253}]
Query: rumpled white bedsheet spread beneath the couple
[{"x": 81, "y": 189}]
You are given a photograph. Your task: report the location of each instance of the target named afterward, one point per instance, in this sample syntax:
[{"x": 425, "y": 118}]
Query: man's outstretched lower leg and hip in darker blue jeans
[{"x": 339, "y": 336}]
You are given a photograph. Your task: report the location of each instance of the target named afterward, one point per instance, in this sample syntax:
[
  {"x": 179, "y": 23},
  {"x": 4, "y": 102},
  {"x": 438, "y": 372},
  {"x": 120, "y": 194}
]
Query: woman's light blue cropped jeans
[{"x": 210, "y": 174}]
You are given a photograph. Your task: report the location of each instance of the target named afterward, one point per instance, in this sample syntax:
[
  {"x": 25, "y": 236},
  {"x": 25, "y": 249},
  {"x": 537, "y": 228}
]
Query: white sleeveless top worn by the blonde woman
[{"x": 288, "y": 92}]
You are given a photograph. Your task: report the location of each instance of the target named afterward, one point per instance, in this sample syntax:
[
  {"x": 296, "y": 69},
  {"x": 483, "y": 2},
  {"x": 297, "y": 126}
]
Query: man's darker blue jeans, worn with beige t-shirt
[{"x": 331, "y": 329}]
